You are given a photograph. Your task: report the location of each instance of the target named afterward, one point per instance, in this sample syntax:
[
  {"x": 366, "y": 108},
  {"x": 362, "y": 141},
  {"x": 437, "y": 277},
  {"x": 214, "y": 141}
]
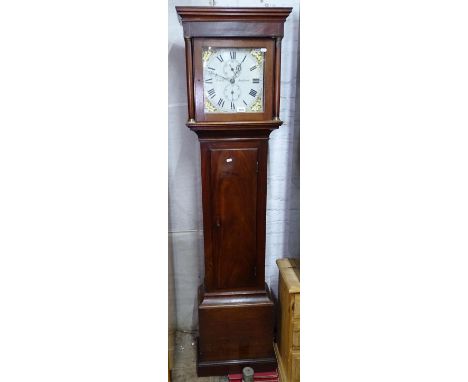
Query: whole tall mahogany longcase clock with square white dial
[{"x": 233, "y": 62}]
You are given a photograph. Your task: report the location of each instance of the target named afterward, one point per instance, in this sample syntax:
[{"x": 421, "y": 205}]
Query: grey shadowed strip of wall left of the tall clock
[{"x": 185, "y": 211}]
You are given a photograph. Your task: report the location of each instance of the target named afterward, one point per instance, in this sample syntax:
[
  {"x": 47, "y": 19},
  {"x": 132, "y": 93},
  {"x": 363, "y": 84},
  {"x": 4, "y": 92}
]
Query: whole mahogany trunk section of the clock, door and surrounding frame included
[{"x": 234, "y": 208}]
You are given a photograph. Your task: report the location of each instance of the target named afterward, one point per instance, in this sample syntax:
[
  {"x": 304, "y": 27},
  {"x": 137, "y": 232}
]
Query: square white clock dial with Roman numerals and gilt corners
[{"x": 233, "y": 79}]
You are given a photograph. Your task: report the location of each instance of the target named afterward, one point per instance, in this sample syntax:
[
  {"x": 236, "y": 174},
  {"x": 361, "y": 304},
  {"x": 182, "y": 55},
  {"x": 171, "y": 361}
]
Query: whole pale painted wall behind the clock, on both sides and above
[{"x": 185, "y": 209}]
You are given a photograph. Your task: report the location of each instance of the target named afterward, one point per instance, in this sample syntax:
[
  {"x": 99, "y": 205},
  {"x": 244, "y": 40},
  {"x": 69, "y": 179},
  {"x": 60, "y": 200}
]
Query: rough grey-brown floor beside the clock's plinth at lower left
[{"x": 184, "y": 369}]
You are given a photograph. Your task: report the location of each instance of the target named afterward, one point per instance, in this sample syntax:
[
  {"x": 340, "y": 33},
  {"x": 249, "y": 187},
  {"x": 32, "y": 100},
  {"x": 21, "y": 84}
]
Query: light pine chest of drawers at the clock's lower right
[{"x": 287, "y": 347}]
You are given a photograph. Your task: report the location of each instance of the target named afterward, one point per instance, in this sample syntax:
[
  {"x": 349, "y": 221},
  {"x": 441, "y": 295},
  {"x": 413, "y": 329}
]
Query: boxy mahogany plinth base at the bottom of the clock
[{"x": 236, "y": 331}]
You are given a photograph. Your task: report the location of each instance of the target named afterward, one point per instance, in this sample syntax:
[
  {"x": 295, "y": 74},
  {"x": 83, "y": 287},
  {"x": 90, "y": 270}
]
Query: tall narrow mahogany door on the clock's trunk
[{"x": 234, "y": 205}]
